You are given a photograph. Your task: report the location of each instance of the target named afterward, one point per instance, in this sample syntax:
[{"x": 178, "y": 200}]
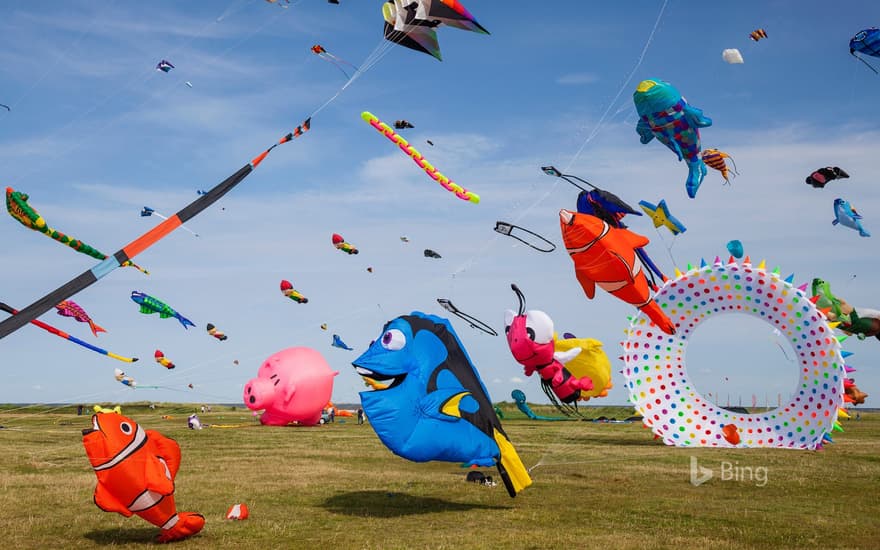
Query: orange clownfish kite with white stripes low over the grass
[{"x": 136, "y": 470}]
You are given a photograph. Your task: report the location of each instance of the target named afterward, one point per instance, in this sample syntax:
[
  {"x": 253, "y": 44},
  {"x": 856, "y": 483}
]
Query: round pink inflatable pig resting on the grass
[{"x": 292, "y": 385}]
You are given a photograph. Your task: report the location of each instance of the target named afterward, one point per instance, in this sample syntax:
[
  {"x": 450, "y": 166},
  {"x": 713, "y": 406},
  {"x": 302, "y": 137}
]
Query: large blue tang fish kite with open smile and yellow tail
[{"x": 428, "y": 402}]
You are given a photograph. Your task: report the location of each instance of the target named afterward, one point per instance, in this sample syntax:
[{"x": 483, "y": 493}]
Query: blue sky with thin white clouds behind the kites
[{"x": 95, "y": 133}]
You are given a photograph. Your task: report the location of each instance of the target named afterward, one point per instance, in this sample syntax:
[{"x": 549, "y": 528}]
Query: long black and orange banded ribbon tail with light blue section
[{"x": 148, "y": 239}]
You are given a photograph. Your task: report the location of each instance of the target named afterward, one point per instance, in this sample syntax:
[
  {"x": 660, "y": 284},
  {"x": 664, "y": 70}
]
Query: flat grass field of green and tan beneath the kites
[{"x": 336, "y": 486}]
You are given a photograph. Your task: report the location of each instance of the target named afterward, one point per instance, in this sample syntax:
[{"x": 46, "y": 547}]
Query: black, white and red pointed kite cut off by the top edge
[{"x": 412, "y": 23}]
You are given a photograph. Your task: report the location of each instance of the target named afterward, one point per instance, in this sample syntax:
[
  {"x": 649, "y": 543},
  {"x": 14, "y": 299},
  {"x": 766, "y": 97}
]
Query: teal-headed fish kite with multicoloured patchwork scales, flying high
[{"x": 666, "y": 115}]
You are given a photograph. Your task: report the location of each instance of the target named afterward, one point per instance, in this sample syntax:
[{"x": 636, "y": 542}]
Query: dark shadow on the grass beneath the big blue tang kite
[{"x": 390, "y": 504}]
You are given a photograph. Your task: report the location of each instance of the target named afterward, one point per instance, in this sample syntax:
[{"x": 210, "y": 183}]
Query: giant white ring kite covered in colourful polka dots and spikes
[{"x": 657, "y": 378}]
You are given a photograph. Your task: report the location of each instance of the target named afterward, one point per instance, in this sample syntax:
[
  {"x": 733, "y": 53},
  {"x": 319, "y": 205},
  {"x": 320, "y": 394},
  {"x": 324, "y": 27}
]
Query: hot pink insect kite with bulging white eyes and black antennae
[{"x": 531, "y": 340}]
